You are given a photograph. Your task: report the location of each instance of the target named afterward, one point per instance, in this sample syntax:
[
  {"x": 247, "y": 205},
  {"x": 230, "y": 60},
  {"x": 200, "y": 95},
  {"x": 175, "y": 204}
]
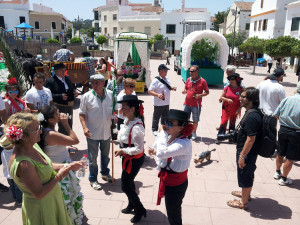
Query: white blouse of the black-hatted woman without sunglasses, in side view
[{"x": 137, "y": 136}]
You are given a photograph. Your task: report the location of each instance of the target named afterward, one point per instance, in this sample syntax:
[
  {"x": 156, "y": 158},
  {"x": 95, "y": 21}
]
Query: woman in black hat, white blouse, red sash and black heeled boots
[{"x": 131, "y": 139}]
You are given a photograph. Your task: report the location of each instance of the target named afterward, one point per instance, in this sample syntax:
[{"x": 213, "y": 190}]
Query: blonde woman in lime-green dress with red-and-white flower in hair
[{"x": 35, "y": 174}]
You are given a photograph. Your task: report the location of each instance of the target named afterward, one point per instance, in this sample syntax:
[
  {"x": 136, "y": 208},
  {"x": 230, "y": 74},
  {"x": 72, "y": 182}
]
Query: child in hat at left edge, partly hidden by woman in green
[{"x": 5, "y": 156}]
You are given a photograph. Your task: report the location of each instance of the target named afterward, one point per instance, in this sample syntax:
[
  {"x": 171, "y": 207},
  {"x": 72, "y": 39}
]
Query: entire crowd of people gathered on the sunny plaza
[{"x": 36, "y": 158}]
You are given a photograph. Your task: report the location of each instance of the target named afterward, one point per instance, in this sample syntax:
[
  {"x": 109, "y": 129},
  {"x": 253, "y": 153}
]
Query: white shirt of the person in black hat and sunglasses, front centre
[{"x": 179, "y": 149}]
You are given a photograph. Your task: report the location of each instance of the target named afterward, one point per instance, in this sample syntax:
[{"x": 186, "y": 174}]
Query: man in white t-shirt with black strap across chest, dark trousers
[{"x": 160, "y": 88}]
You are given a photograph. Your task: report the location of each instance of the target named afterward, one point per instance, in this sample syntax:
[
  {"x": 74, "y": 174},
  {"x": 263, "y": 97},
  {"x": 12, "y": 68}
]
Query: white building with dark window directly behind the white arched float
[{"x": 176, "y": 25}]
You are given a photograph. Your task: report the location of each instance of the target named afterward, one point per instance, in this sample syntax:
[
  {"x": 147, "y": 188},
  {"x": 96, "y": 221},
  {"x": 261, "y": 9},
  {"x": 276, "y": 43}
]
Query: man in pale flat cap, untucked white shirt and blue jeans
[{"x": 95, "y": 114}]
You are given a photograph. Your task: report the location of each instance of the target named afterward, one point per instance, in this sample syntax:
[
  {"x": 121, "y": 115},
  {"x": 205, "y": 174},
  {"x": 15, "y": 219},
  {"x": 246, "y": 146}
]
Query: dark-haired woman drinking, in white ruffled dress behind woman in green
[{"x": 54, "y": 144}]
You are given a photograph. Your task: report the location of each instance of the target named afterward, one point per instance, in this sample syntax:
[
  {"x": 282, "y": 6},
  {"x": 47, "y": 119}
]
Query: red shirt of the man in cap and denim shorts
[{"x": 194, "y": 88}]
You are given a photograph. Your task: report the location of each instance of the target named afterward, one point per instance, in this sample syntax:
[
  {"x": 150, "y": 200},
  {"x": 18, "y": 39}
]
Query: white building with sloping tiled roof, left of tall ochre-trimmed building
[{"x": 242, "y": 18}]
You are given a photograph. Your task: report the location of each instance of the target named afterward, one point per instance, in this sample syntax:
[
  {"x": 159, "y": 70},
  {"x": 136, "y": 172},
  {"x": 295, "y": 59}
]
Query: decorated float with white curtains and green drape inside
[{"x": 132, "y": 55}]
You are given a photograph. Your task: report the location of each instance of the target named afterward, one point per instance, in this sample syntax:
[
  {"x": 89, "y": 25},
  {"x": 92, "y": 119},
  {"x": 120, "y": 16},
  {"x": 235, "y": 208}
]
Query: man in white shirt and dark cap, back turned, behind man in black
[{"x": 271, "y": 93}]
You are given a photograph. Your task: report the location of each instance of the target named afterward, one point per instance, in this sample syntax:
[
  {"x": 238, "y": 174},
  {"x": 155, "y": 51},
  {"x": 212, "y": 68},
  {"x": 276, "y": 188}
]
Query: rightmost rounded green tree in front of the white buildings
[{"x": 280, "y": 47}]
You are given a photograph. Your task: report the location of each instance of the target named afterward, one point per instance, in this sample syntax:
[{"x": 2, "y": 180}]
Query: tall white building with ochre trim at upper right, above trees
[{"x": 268, "y": 18}]
